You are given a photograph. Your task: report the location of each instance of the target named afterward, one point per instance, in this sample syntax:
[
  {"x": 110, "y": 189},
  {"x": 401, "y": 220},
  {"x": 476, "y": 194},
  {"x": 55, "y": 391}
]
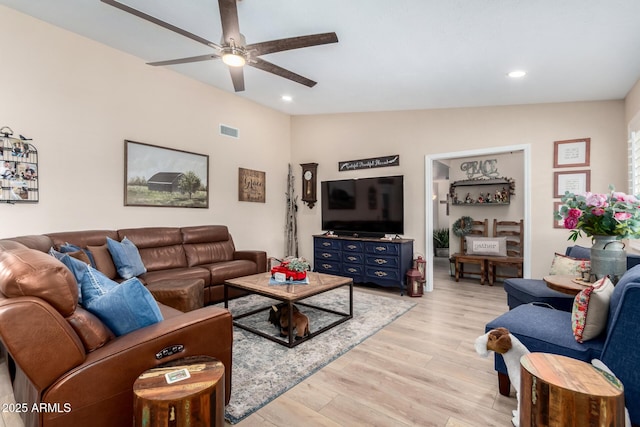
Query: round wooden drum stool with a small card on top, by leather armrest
[{"x": 197, "y": 401}]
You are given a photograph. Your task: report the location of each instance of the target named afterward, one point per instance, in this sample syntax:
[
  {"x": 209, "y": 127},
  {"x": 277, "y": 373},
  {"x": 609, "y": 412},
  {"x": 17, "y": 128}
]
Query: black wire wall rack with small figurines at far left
[{"x": 19, "y": 168}]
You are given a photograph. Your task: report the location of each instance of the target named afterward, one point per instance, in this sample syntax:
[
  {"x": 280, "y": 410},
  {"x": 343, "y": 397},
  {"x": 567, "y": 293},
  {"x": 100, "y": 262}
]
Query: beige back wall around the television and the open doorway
[{"x": 327, "y": 139}]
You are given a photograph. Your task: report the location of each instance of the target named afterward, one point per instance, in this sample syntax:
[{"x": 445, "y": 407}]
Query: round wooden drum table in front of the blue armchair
[{"x": 557, "y": 391}]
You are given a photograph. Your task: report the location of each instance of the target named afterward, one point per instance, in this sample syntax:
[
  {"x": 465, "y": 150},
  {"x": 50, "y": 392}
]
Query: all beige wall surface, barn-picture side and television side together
[{"x": 79, "y": 100}]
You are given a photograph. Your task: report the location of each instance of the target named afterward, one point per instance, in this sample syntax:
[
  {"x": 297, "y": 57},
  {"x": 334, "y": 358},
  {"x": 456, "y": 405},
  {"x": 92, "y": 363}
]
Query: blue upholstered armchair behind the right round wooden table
[{"x": 548, "y": 330}]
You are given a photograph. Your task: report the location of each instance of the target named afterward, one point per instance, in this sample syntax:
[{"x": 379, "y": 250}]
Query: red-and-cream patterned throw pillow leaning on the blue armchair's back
[{"x": 591, "y": 310}]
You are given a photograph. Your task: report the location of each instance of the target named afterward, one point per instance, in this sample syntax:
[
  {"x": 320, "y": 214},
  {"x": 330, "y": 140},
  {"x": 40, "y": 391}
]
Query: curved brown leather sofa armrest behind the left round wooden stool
[{"x": 206, "y": 331}]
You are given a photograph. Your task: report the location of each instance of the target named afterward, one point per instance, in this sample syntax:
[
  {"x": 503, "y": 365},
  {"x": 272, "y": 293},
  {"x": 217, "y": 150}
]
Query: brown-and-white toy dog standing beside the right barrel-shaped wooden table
[{"x": 501, "y": 341}]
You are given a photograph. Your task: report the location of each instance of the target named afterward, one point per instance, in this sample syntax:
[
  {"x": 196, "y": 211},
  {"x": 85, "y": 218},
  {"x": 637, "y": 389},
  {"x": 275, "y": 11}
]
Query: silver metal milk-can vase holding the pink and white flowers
[{"x": 608, "y": 258}]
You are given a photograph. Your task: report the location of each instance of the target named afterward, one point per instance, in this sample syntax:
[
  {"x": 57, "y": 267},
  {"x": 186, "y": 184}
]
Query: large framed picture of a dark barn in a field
[{"x": 165, "y": 177}]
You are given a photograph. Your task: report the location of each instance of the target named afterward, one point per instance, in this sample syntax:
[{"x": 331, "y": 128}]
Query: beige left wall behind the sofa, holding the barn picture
[{"x": 79, "y": 100}]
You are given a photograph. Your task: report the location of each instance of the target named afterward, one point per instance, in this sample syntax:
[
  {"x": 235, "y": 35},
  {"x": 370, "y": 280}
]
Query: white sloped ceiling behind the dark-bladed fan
[{"x": 391, "y": 54}]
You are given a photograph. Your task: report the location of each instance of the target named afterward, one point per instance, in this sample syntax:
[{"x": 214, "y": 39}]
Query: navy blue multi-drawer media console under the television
[{"x": 365, "y": 260}]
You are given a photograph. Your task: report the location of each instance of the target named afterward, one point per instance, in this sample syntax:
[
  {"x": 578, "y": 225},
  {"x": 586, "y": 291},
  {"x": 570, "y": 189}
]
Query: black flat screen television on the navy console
[{"x": 365, "y": 207}]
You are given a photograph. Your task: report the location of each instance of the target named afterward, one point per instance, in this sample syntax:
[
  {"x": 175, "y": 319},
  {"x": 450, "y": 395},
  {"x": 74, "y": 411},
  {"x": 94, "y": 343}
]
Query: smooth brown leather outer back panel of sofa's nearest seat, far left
[{"x": 39, "y": 339}]
